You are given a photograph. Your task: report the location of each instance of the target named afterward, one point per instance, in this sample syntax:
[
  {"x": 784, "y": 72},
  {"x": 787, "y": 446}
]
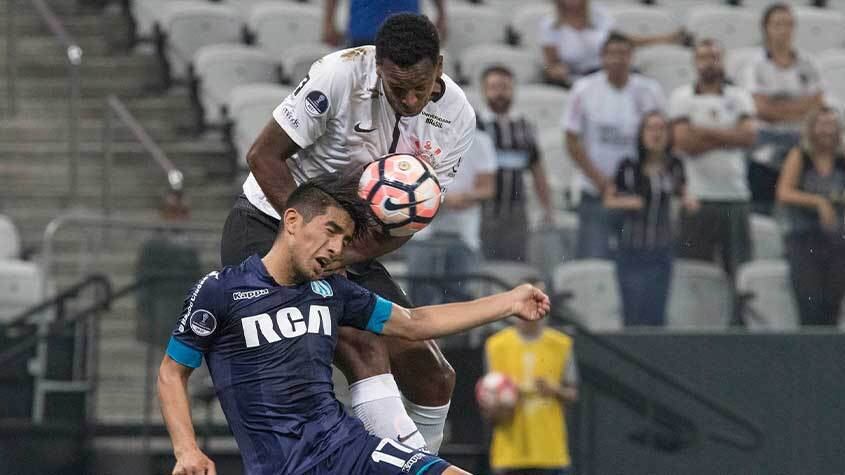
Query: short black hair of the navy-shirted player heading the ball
[{"x": 314, "y": 196}]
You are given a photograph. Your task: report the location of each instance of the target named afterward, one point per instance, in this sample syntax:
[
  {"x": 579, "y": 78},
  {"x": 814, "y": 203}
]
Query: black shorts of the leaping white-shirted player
[{"x": 249, "y": 231}]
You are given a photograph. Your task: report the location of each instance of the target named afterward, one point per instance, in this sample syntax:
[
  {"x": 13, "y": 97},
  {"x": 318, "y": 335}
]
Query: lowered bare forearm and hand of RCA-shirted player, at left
[{"x": 176, "y": 411}]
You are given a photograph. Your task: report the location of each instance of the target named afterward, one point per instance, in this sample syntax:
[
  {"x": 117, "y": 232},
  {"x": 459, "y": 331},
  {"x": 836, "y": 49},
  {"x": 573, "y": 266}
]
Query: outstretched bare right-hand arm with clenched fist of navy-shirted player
[{"x": 423, "y": 323}]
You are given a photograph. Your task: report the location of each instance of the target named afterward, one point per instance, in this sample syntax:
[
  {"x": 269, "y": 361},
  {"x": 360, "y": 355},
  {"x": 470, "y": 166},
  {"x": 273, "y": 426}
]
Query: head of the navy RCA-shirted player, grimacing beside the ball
[{"x": 323, "y": 215}]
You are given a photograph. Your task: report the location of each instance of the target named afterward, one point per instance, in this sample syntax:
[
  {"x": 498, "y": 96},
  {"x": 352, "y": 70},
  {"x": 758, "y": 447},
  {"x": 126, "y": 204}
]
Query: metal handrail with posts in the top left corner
[{"x": 73, "y": 54}]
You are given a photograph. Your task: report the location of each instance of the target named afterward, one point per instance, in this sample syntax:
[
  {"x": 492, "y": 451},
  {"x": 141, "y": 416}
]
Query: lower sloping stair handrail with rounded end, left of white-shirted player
[{"x": 116, "y": 110}]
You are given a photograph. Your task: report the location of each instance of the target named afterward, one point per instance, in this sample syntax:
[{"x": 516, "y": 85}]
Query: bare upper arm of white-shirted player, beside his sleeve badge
[{"x": 266, "y": 159}]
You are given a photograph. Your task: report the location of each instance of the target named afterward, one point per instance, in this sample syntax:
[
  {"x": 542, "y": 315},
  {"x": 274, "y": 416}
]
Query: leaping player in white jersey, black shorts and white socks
[{"x": 353, "y": 107}]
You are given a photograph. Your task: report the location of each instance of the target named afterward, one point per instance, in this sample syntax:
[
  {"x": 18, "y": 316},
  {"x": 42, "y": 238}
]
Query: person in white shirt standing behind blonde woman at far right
[{"x": 786, "y": 85}]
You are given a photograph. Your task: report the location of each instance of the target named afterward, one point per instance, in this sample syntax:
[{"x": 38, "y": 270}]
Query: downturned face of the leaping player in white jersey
[{"x": 409, "y": 89}]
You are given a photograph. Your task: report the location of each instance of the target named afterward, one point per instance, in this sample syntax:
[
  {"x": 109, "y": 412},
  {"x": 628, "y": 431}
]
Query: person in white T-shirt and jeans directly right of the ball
[{"x": 451, "y": 244}]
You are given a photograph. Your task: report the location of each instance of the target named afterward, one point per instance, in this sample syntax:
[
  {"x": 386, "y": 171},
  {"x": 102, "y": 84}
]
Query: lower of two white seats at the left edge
[{"x": 21, "y": 287}]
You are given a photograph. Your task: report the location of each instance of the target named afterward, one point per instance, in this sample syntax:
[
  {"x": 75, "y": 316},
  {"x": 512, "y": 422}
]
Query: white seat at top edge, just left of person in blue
[{"x": 277, "y": 27}]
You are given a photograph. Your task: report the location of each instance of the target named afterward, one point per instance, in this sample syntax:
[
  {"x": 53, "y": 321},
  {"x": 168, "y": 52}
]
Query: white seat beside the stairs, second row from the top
[{"x": 218, "y": 69}]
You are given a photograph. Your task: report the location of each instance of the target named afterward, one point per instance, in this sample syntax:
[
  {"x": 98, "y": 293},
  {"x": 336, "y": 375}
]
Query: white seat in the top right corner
[{"x": 819, "y": 29}]
